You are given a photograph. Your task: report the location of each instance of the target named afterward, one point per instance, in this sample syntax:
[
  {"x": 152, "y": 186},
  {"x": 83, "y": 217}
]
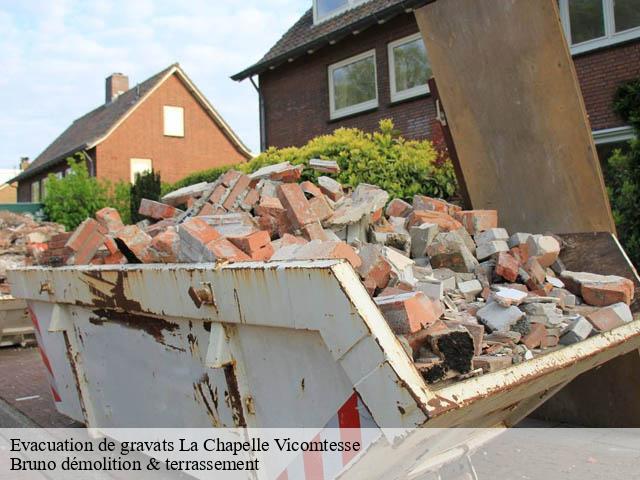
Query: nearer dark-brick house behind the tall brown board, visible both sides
[{"x": 350, "y": 63}]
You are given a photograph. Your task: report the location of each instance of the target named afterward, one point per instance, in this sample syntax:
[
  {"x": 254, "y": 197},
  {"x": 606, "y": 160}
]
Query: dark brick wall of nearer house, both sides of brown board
[{"x": 297, "y": 100}]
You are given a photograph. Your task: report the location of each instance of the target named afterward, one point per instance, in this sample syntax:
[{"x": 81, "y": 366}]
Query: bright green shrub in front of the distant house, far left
[{"x": 70, "y": 200}]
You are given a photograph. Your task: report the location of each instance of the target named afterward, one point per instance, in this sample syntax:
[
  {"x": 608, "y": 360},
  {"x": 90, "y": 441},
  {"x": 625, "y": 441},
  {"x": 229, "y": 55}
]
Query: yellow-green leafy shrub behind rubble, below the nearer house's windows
[{"x": 402, "y": 167}]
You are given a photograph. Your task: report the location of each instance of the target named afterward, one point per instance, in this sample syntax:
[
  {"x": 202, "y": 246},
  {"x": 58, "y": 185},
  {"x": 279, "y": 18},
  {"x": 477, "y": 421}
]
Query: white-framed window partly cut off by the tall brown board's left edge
[{"x": 409, "y": 68}]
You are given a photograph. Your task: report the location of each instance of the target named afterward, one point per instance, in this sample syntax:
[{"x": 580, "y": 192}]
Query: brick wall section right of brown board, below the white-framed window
[{"x": 600, "y": 72}]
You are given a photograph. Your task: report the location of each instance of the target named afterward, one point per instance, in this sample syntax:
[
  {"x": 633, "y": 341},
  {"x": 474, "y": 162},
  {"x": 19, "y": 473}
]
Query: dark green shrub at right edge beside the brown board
[{"x": 622, "y": 173}]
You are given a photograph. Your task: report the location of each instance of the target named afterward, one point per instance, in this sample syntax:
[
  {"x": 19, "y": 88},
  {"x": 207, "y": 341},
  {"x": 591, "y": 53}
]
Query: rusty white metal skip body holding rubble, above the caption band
[{"x": 280, "y": 344}]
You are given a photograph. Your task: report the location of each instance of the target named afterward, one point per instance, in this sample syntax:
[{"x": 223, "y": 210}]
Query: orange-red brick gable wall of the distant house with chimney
[{"x": 141, "y": 136}]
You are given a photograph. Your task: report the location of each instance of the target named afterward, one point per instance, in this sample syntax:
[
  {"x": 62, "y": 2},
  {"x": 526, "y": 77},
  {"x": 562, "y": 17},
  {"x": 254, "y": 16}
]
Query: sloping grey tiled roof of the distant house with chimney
[{"x": 86, "y": 130}]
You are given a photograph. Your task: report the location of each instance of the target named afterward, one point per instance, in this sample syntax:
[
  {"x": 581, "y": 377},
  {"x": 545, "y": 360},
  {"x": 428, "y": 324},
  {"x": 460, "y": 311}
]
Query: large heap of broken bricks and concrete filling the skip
[{"x": 463, "y": 296}]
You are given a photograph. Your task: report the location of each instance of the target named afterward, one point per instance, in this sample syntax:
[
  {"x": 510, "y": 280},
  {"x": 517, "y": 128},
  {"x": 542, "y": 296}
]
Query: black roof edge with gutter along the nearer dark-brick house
[{"x": 340, "y": 33}]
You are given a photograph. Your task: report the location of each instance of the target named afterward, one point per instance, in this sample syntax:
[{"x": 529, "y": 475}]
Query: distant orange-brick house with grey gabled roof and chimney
[{"x": 164, "y": 123}]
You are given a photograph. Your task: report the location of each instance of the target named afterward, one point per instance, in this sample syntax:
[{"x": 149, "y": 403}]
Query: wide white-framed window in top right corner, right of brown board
[{"x": 590, "y": 24}]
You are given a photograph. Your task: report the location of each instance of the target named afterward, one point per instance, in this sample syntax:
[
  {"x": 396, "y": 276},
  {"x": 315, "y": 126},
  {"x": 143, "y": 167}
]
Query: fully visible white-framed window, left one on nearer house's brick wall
[{"x": 352, "y": 85}]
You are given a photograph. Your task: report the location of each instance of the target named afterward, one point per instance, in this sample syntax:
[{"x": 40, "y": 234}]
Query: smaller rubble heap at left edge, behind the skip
[{"x": 23, "y": 241}]
